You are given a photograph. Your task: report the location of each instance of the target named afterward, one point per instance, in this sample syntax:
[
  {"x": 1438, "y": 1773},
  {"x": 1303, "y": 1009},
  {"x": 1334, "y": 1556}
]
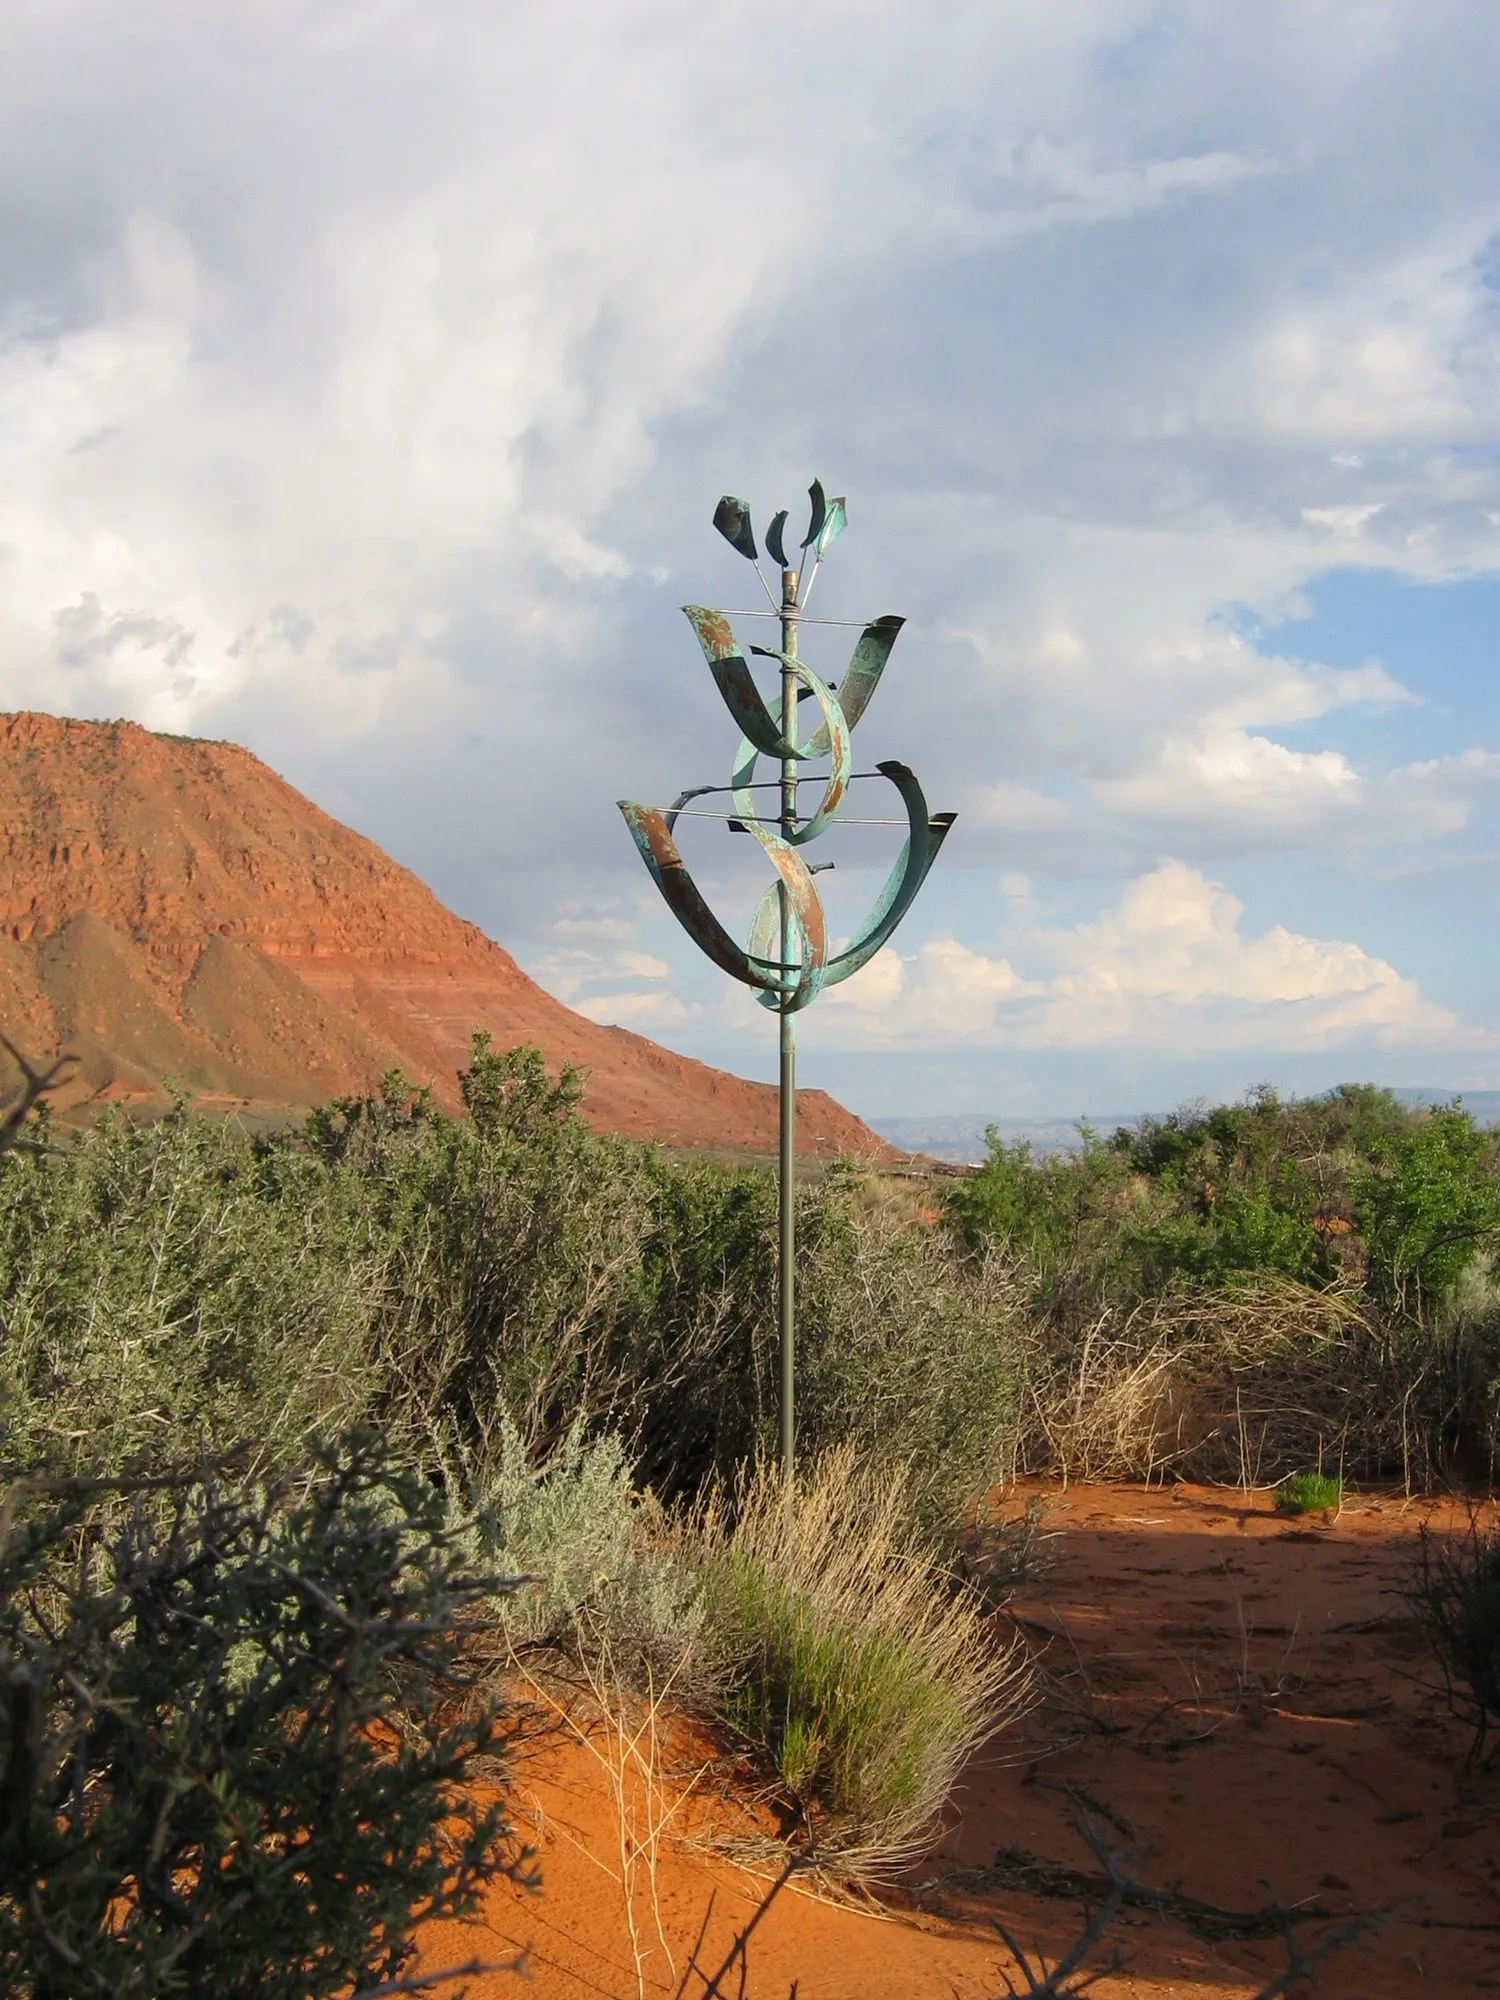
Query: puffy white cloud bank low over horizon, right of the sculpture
[{"x": 1167, "y": 969}]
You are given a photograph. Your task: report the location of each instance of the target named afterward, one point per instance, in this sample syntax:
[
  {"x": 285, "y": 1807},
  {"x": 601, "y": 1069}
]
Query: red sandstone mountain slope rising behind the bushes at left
[{"x": 173, "y": 909}]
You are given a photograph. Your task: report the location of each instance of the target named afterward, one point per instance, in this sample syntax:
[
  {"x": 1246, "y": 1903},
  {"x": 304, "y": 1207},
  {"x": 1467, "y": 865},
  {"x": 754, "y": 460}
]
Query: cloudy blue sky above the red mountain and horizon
[{"x": 369, "y": 373}]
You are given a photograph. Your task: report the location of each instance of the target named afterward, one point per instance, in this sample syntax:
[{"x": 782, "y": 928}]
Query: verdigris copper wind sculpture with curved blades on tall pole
[{"x": 787, "y": 953}]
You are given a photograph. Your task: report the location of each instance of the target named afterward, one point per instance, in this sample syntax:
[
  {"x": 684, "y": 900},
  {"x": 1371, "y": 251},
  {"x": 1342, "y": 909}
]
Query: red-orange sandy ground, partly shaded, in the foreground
[{"x": 1245, "y": 1697}]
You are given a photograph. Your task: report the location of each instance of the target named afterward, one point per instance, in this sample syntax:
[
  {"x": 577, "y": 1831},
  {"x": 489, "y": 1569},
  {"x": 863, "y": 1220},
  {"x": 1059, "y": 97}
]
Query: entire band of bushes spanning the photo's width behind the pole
[{"x": 187, "y": 1287}]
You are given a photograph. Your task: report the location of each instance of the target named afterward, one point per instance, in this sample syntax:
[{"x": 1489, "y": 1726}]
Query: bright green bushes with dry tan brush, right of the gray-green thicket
[{"x": 1239, "y": 1291}]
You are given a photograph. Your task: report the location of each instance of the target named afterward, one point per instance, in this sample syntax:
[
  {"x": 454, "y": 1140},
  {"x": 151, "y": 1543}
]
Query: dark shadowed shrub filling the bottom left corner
[{"x": 227, "y": 1747}]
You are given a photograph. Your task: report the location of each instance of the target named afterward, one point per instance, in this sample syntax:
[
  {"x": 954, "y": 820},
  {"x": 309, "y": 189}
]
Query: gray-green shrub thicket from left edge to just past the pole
[{"x": 189, "y": 1285}]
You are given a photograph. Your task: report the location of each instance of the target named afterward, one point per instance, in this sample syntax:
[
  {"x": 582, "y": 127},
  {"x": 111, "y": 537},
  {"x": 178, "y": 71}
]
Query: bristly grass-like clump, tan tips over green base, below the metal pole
[{"x": 853, "y": 1659}]
